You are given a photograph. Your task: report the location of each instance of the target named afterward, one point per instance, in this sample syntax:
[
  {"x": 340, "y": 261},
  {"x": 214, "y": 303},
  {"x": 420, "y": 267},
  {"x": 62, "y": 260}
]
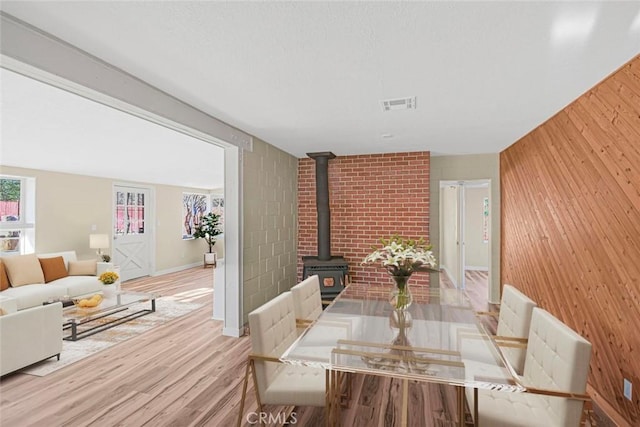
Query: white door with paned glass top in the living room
[{"x": 132, "y": 235}]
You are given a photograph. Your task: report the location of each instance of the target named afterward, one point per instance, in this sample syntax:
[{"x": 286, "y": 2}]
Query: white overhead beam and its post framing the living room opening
[{"x": 36, "y": 54}]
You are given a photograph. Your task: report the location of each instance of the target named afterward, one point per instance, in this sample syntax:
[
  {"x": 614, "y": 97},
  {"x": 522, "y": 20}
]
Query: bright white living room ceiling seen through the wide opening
[{"x": 44, "y": 127}]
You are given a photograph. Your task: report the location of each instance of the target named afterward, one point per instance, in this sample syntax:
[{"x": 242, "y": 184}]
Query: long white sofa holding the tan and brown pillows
[{"x": 32, "y": 295}]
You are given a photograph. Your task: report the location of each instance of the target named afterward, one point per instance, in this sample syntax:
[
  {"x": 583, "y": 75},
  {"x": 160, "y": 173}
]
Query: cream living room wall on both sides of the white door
[{"x": 67, "y": 206}]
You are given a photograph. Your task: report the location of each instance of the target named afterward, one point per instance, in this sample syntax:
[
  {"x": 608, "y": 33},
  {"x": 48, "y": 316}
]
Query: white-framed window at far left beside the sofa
[{"x": 17, "y": 215}]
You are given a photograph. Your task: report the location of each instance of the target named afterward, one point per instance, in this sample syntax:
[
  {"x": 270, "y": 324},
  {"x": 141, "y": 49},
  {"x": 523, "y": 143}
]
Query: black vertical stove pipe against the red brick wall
[{"x": 322, "y": 203}]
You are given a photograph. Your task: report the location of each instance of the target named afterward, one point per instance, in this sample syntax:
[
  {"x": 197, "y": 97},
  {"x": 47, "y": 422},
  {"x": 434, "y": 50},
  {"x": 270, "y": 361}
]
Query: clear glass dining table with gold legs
[{"x": 437, "y": 339}]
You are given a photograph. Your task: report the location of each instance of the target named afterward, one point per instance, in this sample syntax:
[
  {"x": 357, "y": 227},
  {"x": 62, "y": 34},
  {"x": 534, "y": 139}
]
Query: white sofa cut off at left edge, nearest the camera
[{"x": 28, "y": 336}]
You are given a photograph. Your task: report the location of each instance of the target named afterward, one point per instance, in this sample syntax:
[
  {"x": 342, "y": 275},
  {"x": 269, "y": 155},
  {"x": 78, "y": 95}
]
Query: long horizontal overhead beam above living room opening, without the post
[{"x": 30, "y": 51}]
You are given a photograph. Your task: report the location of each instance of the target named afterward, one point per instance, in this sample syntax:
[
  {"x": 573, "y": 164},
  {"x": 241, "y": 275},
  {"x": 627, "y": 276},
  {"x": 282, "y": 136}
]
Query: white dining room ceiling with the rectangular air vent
[{"x": 309, "y": 76}]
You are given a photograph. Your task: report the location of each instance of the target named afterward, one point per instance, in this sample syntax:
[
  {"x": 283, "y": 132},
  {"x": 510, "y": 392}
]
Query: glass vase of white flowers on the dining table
[{"x": 401, "y": 258}]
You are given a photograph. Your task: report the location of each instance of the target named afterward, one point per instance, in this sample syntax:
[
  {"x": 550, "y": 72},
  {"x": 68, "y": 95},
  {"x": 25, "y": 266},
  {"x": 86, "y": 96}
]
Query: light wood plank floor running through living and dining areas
[{"x": 185, "y": 373}]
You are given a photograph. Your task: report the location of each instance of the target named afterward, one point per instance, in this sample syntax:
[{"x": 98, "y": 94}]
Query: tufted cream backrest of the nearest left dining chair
[{"x": 273, "y": 330}]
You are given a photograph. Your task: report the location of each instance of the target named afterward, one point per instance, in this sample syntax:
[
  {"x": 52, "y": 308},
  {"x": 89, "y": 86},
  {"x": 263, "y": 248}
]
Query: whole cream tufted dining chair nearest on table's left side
[{"x": 273, "y": 330}]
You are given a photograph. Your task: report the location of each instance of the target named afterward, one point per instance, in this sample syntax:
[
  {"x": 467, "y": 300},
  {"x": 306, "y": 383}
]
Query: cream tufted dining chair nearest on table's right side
[{"x": 555, "y": 375}]
